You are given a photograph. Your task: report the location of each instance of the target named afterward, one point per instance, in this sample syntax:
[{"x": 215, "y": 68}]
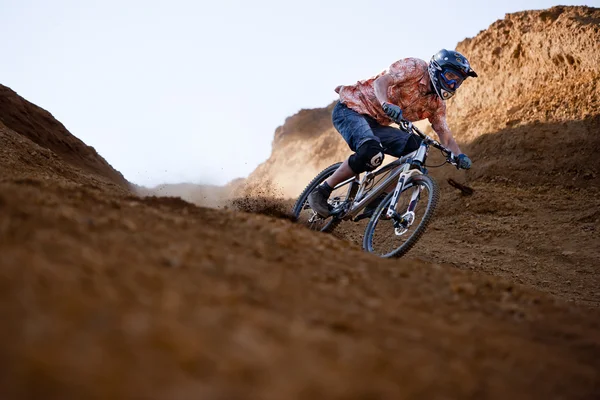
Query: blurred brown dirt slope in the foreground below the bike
[{"x": 109, "y": 296}]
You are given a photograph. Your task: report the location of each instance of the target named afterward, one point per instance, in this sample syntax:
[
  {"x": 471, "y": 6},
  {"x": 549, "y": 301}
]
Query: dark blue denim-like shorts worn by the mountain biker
[{"x": 357, "y": 129}]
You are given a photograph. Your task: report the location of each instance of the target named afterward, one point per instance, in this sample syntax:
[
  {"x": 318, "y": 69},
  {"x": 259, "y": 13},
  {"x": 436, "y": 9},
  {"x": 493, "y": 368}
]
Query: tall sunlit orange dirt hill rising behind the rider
[{"x": 538, "y": 72}]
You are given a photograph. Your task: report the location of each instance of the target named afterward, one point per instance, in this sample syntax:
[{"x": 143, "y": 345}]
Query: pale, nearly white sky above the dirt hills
[{"x": 183, "y": 90}]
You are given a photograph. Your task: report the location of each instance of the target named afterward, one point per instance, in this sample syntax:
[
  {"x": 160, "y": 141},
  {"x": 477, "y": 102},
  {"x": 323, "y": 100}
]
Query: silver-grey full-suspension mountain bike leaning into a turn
[{"x": 401, "y": 218}]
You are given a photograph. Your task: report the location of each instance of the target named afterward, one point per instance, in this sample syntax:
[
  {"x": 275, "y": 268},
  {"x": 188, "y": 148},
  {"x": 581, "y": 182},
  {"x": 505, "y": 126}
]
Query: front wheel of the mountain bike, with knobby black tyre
[{"x": 393, "y": 237}]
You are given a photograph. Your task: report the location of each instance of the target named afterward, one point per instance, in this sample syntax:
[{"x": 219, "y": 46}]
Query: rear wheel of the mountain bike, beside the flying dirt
[{"x": 306, "y": 216}]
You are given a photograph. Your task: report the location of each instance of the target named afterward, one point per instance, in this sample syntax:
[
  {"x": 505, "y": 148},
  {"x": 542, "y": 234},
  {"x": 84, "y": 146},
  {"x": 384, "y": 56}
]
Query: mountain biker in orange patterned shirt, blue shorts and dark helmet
[{"x": 411, "y": 89}]
